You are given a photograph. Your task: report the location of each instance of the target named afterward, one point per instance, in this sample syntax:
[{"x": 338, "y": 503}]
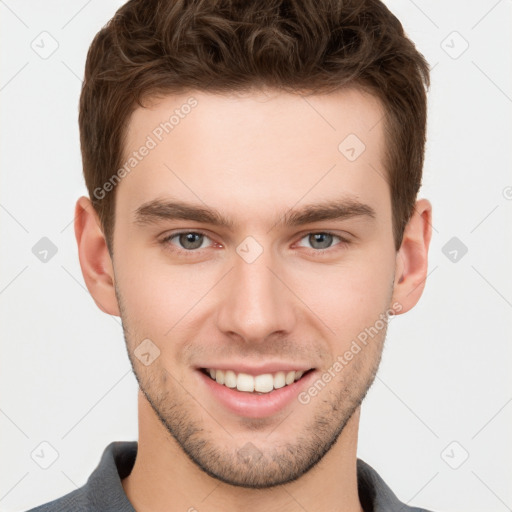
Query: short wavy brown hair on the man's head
[{"x": 153, "y": 48}]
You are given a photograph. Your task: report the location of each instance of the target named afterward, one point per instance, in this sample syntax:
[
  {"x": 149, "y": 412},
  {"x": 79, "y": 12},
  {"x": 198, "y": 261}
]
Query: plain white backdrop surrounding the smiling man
[{"x": 65, "y": 374}]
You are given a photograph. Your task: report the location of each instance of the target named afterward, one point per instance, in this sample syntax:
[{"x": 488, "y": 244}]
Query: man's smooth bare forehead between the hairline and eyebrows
[{"x": 255, "y": 149}]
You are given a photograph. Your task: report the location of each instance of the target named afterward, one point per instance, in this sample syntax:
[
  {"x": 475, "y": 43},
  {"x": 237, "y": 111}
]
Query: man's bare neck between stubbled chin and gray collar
[{"x": 164, "y": 478}]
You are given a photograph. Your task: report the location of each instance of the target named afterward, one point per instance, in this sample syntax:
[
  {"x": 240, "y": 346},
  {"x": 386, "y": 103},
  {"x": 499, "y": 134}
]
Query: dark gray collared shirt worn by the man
[{"x": 103, "y": 491}]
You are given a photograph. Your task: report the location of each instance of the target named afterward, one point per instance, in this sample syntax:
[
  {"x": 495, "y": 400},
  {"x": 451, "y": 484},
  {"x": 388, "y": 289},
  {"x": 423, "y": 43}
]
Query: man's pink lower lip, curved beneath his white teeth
[{"x": 251, "y": 405}]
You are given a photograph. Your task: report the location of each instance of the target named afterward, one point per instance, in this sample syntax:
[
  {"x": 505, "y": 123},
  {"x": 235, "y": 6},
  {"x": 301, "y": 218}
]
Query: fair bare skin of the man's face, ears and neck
[{"x": 253, "y": 157}]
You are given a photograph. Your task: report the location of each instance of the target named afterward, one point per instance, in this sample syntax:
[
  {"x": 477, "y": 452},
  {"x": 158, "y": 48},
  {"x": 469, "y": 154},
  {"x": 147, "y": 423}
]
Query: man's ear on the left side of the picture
[{"x": 95, "y": 261}]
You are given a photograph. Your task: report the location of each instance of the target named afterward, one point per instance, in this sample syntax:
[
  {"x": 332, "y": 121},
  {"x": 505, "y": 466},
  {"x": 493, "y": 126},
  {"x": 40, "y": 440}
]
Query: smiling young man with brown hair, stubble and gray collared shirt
[{"x": 253, "y": 170}]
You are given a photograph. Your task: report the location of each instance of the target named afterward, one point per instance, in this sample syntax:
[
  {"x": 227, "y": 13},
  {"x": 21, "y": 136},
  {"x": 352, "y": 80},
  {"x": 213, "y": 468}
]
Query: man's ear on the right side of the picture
[{"x": 412, "y": 258}]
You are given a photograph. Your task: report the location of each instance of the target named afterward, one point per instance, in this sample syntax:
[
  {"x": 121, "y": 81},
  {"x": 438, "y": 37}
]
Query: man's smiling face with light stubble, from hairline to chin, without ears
[{"x": 249, "y": 242}]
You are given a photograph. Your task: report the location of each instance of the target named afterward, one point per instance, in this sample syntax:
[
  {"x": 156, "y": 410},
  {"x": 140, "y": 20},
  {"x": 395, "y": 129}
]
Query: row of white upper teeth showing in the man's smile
[{"x": 261, "y": 383}]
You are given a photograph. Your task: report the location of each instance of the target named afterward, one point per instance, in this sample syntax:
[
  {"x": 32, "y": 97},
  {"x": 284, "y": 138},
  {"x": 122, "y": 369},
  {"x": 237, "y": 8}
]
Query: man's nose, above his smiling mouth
[{"x": 256, "y": 303}]
